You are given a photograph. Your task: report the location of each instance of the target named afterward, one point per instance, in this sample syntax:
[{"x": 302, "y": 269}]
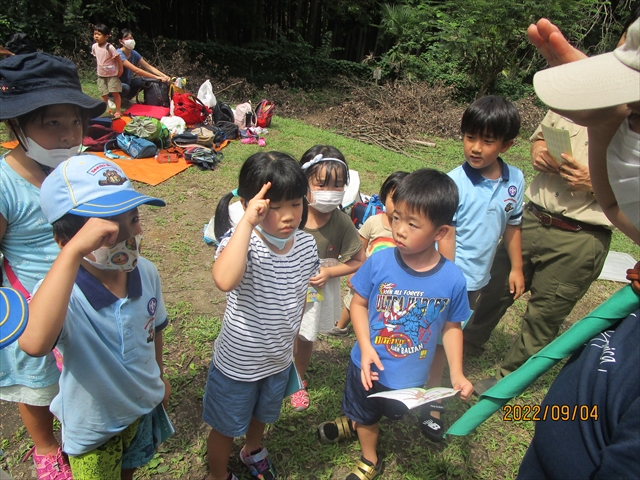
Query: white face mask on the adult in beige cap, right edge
[{"x": 623, "y": 166}]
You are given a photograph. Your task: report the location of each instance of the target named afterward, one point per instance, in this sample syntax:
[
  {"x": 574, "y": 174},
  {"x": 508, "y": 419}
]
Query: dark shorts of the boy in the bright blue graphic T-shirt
[{"x": 368, "y": 411}]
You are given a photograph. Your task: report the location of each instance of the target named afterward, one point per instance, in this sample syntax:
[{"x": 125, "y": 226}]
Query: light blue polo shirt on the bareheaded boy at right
[{"x": 486, "y": 208}]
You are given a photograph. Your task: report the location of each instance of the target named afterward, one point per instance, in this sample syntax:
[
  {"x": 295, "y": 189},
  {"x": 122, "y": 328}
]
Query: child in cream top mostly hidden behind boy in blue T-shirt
[{"x": 375, "y": 235}]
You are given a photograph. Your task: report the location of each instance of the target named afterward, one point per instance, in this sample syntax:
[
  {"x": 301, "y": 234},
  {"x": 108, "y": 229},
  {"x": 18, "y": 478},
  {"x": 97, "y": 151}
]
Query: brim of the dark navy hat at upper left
[{"x": 15, "y": 107}]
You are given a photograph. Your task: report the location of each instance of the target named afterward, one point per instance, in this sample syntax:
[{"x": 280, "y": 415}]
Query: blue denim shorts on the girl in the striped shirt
[{"x": 229, "y": 405}]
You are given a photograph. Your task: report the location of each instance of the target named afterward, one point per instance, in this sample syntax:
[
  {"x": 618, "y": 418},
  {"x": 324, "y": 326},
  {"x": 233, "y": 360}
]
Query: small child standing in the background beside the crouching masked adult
[{"x": 109, "y": 66}]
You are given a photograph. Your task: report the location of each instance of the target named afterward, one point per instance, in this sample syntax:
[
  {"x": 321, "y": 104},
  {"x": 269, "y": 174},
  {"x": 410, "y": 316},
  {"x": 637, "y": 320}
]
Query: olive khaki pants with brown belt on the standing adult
[{"x": 558, "y": 266}]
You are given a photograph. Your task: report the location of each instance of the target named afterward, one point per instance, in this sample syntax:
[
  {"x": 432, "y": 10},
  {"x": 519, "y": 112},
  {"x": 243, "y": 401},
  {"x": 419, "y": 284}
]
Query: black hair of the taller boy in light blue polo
[{"x": 492, "y": 115}]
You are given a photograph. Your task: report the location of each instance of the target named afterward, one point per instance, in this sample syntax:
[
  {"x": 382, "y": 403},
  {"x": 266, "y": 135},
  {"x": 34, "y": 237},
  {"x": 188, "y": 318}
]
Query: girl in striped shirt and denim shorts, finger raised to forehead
[{"x": 253, "y": 354}]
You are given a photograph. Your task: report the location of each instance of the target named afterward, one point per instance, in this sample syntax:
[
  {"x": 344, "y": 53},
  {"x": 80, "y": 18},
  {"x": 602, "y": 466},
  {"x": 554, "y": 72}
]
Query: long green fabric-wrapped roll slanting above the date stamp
[{"x": 619, "y": 306}]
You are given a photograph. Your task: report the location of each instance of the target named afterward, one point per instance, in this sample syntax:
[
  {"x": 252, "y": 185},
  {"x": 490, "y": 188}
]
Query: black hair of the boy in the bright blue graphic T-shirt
[{"x": 431, "y": 193}]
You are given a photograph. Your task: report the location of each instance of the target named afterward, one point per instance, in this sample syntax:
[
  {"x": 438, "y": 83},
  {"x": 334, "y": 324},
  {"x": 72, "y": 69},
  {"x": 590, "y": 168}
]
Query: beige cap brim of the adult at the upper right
[{"x": 596, "y": 82}]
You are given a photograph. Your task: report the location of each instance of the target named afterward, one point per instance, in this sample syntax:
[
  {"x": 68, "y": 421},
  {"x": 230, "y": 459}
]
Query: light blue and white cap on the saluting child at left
[{"x": 89, "y": 186}]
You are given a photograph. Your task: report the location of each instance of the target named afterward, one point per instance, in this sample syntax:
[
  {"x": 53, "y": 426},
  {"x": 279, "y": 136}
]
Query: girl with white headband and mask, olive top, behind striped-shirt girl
[{"x": 336, "y": 236}]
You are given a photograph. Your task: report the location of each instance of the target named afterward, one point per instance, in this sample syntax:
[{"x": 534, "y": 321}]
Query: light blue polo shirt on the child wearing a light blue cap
[{"x": 110, "y": 376}]
